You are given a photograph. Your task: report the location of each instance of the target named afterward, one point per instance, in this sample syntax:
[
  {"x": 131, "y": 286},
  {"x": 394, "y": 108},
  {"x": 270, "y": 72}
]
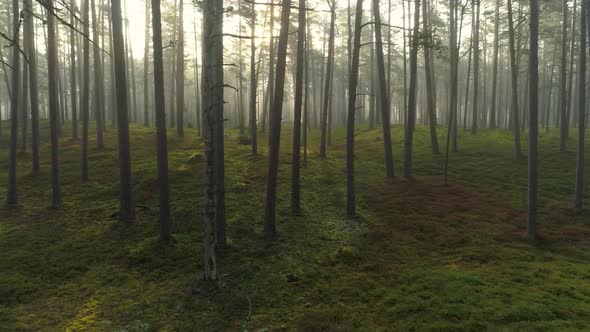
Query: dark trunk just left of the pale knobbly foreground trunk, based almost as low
[{"x": 165, "y": 226}]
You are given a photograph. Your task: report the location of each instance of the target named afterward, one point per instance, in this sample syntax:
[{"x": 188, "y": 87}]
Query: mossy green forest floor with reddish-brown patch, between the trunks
[{"x": 420, "y": 256}]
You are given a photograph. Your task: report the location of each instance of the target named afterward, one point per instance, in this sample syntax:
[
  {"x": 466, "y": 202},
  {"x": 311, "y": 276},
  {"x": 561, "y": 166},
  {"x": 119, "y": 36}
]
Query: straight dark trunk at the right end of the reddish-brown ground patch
[{"x": 533, "y": 117}]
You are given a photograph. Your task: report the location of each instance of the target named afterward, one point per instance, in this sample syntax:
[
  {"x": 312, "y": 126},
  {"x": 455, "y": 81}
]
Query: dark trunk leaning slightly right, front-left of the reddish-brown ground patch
[{"x": 352, "y": 86}]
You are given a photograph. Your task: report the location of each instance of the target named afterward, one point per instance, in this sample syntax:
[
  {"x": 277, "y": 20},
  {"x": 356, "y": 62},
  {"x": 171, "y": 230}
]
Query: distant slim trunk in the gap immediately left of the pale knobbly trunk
[{"x": 180, "y": 73}]
